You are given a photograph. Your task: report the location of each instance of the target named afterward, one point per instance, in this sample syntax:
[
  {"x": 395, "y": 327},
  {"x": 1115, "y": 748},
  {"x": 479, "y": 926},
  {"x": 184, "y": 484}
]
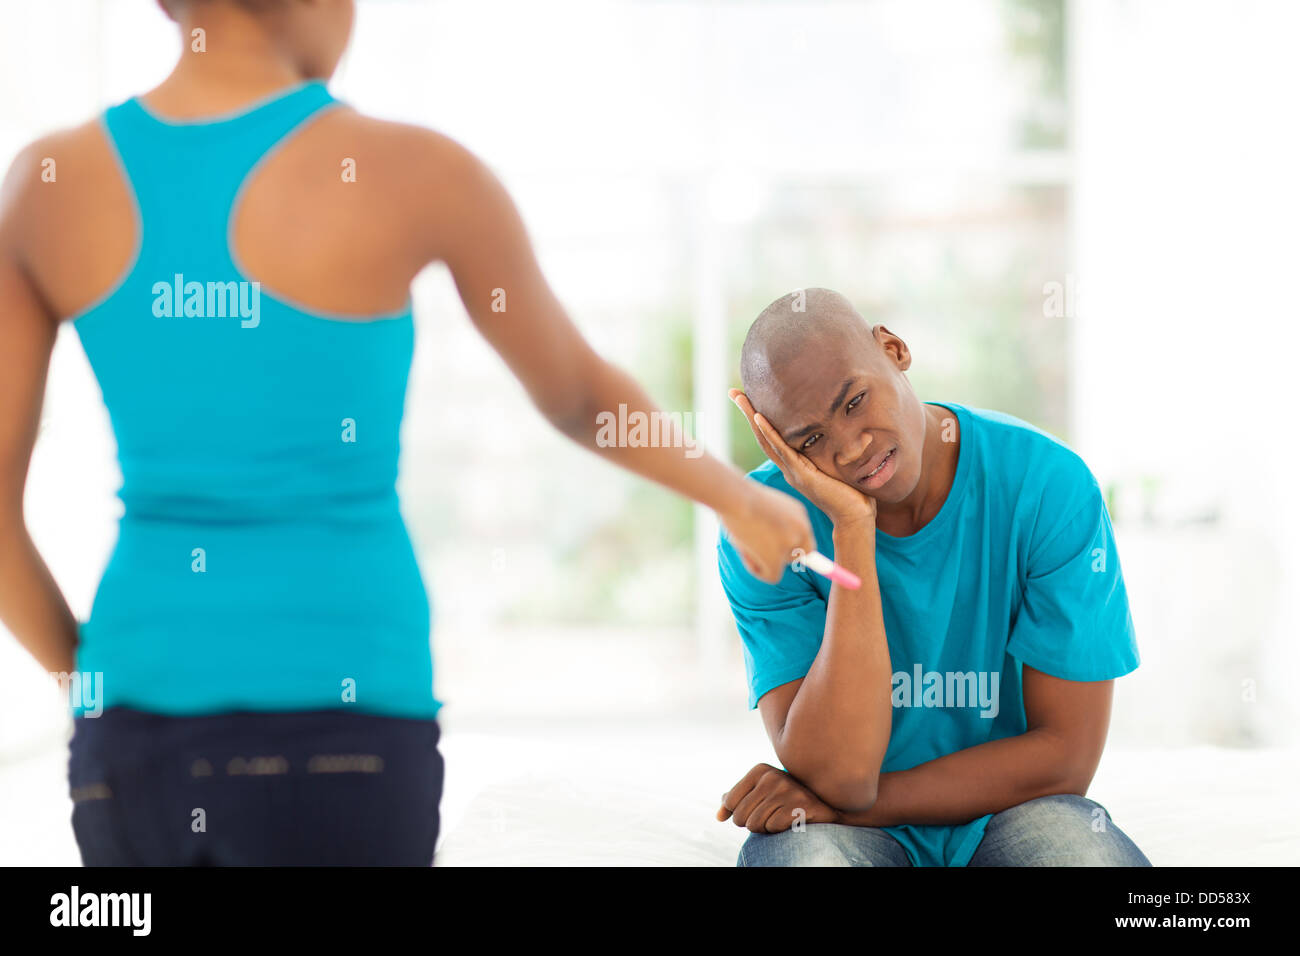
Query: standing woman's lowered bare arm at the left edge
[{"x": 32, "y": 607}]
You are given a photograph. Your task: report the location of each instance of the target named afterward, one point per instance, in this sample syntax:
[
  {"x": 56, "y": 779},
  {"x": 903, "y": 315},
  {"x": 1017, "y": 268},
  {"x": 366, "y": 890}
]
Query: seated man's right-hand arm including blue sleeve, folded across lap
[{"x": 1074, "y": 621}]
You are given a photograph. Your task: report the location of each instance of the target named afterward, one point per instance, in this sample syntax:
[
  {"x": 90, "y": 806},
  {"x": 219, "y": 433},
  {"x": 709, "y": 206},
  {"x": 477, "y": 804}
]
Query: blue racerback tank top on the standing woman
[{"x": 262, "y": 560}]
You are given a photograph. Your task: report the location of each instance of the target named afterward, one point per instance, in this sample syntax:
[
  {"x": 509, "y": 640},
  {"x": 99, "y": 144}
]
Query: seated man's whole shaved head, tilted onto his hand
[{"x": 834, "y": 388}]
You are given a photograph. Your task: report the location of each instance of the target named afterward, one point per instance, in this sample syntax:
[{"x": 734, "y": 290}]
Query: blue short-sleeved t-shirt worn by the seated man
[{"x": 1020, "y": 566}]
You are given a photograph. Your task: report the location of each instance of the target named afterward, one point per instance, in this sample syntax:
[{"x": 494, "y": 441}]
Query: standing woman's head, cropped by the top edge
[{"x": 310, "y": 34}]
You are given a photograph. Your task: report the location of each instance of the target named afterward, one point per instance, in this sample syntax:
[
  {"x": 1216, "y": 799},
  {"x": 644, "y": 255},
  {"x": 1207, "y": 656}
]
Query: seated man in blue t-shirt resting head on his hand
[{"x": 954, "y": 710}]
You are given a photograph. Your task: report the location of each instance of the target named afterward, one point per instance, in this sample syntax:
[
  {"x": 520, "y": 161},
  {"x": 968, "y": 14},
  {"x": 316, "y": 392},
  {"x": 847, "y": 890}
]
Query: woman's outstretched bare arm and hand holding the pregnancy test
[{"x": 475, "y": 228}]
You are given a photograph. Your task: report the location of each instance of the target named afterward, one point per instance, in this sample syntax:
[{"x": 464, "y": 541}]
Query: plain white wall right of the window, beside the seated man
[{"x": 1185, "y": 244}]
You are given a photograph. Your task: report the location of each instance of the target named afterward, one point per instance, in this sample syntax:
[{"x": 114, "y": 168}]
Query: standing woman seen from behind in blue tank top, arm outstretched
[{"x": 236, "y": 250}]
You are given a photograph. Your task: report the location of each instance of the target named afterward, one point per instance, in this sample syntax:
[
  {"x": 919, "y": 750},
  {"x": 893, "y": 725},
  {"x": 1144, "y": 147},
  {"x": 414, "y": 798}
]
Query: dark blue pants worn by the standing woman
[{"x": 327, "y": 788}]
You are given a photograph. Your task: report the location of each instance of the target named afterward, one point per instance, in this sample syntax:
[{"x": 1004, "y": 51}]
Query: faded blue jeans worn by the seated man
[{"x": 1055, "y": 830}]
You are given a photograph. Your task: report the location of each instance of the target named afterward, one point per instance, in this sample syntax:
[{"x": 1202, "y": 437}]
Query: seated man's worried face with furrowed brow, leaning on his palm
[{"x": 844, "y": 404}]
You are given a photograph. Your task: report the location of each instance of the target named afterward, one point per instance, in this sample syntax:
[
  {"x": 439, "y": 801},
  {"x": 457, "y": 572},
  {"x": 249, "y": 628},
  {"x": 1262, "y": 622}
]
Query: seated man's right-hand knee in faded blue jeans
[{"x": 1064, "y": 830}]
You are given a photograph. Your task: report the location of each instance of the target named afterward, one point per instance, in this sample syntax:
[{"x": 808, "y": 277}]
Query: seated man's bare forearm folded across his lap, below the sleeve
[{"x": 1059, "y": 754}]
